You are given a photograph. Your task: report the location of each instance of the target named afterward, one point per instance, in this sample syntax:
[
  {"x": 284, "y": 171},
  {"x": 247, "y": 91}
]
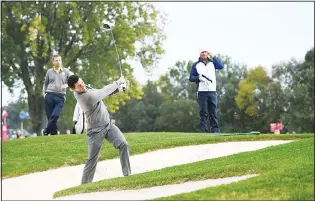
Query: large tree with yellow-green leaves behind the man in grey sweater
[{"x": 33, "y": 31}]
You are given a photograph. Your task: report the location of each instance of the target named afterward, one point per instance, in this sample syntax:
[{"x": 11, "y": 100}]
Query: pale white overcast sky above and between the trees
[{"x": 251, "y": 33}]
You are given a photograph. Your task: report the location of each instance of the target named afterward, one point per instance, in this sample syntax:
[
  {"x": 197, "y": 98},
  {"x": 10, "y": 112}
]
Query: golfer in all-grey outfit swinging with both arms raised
[{"x": 98, "y": 124}]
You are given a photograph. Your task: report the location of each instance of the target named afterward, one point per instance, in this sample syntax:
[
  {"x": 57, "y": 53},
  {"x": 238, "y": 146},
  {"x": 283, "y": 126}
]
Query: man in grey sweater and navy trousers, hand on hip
[{"x": 54, "y": 91}]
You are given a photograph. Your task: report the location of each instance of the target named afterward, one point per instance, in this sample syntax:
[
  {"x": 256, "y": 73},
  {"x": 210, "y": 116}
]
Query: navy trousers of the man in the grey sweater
[{"x": 53, "y": 105}]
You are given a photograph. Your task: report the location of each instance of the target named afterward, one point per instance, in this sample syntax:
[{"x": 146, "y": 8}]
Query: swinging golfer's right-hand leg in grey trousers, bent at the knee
[{"x": 117, "y": 139}]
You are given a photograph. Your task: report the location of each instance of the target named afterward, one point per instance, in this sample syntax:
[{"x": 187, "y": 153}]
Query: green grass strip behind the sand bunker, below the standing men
[{"x": 20, "y": 157}]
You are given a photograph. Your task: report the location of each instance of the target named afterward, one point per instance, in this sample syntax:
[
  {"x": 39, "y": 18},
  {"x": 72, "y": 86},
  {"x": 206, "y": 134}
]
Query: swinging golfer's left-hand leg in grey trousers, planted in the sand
[{"x": 95, "y": 141}]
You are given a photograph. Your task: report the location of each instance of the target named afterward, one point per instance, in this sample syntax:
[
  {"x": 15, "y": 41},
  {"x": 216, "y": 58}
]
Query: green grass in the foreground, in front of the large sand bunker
[{"x": 286, "y": 172}]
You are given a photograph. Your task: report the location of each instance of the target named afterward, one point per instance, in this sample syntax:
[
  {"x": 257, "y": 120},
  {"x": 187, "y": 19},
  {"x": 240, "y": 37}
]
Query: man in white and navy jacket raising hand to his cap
[{"x": 203, "y": 73}]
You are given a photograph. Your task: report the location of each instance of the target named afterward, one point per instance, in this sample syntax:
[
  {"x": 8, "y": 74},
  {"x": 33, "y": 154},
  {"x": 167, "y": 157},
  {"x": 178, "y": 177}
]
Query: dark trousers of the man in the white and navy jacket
[{"x": 207, "y": 101}]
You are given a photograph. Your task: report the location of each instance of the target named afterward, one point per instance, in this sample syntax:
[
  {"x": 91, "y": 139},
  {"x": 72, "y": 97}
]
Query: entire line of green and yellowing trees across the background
[{"x": 248, "y": 99}]
